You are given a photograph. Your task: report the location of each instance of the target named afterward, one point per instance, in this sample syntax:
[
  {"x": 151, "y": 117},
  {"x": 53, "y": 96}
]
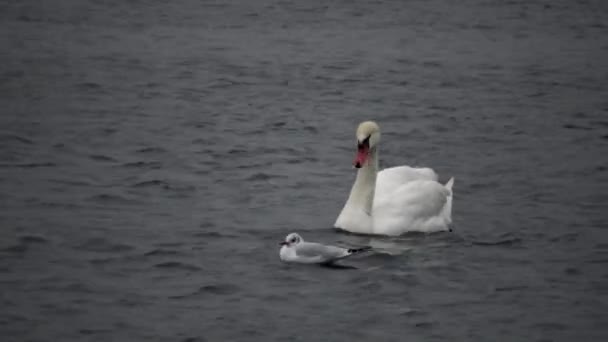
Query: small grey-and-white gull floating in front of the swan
[{"x": 295, "y": 249}]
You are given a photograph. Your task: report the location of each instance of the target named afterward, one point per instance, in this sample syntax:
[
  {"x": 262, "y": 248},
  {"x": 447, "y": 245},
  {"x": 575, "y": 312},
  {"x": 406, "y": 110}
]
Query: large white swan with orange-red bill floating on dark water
[{"x": 395, "y": 200}]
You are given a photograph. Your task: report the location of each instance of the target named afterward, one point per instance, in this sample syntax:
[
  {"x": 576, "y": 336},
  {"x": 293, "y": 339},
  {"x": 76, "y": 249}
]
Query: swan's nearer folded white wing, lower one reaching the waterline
[{"x": 414, "y": 206}]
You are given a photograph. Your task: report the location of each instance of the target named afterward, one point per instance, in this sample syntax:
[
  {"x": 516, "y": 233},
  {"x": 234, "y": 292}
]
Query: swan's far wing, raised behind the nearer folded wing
[{"x": 388, "y": 180}]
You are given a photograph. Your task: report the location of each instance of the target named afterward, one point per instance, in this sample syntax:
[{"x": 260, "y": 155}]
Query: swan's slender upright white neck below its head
[{"x": 362, "y": 192}]
